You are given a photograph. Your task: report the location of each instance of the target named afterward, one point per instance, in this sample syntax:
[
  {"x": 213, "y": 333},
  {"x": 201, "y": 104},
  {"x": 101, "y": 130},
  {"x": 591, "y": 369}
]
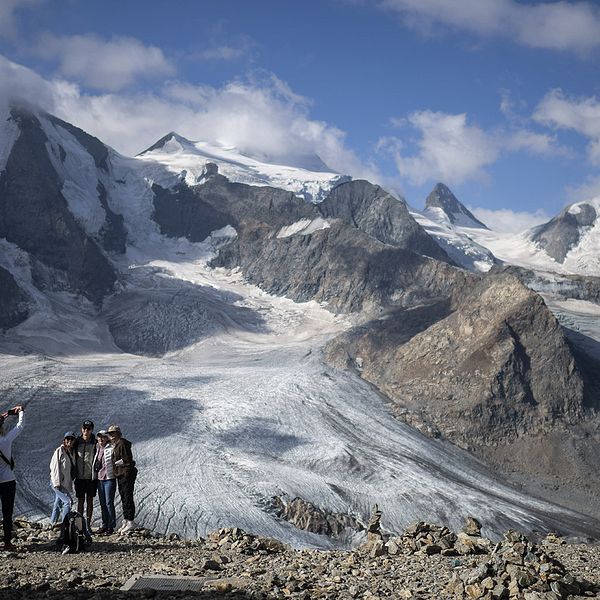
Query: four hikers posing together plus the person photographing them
[{"x": 83, "y": 465}]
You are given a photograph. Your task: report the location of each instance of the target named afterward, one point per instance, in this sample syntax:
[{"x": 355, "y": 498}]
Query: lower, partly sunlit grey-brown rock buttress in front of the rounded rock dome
[{"x": 340, "y": 265}]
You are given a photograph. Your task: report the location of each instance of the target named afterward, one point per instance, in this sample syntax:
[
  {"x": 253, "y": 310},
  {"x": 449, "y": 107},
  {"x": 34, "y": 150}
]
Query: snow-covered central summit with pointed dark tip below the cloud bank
[{"x": 182, "y": 156}]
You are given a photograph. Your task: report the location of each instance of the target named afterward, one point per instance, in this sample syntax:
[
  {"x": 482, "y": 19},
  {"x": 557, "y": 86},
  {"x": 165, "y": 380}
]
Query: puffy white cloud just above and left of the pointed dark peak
[{"x": 449, "y": 149}]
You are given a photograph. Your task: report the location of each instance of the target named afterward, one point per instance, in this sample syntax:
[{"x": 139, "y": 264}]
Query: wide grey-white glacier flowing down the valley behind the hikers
[{"x": 248, "y": 412}]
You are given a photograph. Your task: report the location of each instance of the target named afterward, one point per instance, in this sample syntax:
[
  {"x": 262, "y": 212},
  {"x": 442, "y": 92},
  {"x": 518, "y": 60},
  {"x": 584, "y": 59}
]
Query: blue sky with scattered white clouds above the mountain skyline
[{"x": 497, "y": 98}]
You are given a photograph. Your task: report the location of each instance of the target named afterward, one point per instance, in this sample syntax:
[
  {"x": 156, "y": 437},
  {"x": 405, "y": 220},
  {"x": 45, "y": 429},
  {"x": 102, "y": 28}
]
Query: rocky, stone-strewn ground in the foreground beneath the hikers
[{"x": 426, "y": 561}]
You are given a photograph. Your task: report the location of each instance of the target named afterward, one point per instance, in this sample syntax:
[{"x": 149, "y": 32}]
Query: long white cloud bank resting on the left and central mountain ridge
[{"x": 262, "y": 117}]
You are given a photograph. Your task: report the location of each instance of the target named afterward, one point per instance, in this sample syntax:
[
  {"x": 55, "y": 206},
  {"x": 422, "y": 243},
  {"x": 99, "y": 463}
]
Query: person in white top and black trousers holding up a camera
[{"x": 8, "y": 485}]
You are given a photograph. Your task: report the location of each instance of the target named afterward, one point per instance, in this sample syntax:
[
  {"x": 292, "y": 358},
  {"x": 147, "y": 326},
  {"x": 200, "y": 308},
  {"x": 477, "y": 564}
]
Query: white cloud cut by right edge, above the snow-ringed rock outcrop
[{"x": 578, "y": 114}]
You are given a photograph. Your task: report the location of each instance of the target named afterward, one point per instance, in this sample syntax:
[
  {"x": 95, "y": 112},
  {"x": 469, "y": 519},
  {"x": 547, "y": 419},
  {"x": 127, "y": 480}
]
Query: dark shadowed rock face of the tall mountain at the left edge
[{"x": 35, "y": 215}]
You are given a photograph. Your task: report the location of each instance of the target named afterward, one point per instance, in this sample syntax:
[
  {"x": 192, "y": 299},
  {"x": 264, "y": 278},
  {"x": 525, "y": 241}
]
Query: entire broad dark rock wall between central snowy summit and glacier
[{"x": 343, "y": 265}]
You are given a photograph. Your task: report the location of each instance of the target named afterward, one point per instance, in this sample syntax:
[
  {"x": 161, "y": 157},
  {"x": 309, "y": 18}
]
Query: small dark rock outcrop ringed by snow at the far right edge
[{"x": 559, "y": 235}]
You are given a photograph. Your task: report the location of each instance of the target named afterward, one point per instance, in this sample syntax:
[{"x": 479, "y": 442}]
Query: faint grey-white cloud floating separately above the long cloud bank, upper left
[{"x": 104, "y": 64}]
